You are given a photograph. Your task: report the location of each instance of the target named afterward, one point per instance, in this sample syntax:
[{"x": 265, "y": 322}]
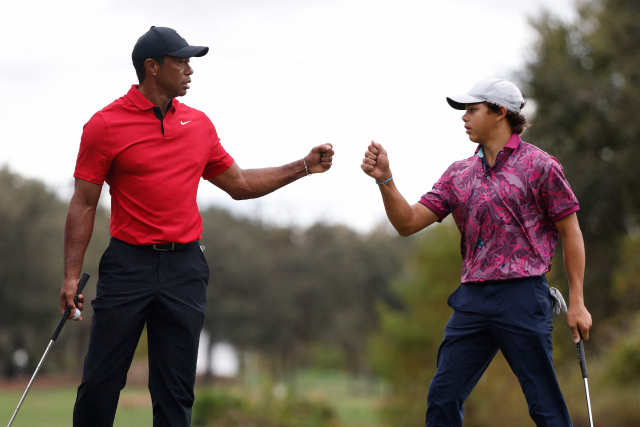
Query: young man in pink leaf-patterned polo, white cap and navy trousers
[{"x": 510, "y": 201}]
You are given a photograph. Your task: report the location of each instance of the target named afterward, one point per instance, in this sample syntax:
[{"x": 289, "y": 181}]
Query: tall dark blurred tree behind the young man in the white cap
[{"x": 585, "y": 82}]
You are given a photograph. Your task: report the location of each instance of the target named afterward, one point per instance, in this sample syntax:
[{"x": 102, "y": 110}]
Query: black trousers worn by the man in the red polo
[{"x": 167, "y": 292}]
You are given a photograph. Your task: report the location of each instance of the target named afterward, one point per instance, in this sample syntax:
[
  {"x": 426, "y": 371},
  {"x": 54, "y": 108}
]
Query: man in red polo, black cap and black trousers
[{"x": 152, "y": 150}]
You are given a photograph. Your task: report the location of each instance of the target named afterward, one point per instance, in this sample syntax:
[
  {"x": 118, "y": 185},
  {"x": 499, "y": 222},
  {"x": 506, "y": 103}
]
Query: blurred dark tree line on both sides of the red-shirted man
[{"x": 286, "y": 292}]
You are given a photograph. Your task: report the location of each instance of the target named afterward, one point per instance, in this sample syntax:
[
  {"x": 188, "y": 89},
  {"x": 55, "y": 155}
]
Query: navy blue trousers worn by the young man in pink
[{"x": 512, "y": 316}]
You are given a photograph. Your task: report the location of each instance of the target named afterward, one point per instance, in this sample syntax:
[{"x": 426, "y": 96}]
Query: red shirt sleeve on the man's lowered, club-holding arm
[{"x": 95, "y": 155}]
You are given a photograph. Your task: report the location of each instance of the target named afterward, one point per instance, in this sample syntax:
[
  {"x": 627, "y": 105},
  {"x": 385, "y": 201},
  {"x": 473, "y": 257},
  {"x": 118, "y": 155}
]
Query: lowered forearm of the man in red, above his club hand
[{"x": 77, "y": 234}]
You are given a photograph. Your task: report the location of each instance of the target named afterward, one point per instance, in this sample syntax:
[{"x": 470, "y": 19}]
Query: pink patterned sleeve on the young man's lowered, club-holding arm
[{"x": 555, "y": 194}]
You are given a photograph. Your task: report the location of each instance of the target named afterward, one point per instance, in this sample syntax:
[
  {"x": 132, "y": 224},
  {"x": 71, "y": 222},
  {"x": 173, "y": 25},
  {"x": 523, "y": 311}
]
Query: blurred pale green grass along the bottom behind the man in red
[{"x": 355, "y": 402}]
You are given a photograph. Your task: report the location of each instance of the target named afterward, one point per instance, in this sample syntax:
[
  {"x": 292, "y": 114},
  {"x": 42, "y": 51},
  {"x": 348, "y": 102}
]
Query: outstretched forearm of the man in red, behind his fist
[{"x": 259, "y": 182}]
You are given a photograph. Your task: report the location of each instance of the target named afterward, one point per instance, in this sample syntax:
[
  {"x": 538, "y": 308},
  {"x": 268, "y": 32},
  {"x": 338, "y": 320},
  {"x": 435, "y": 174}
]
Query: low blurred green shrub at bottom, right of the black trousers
[{"x": 220, "y": 409}]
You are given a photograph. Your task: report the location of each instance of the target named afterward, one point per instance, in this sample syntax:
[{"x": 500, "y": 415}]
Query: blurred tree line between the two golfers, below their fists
[{"x": 281, "y": 289}]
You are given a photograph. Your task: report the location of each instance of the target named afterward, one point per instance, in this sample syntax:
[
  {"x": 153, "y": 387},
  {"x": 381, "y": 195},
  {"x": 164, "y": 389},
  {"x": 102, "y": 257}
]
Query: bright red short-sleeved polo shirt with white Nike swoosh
[{"x": 153, "y": 168}]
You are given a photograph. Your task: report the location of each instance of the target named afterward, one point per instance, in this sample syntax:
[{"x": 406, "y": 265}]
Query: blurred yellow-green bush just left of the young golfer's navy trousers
[{"x": 404, "y": 351}]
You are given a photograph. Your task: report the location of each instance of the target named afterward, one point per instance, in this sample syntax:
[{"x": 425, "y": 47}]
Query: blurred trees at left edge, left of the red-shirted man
[{"x": 31, "y": 231}]
